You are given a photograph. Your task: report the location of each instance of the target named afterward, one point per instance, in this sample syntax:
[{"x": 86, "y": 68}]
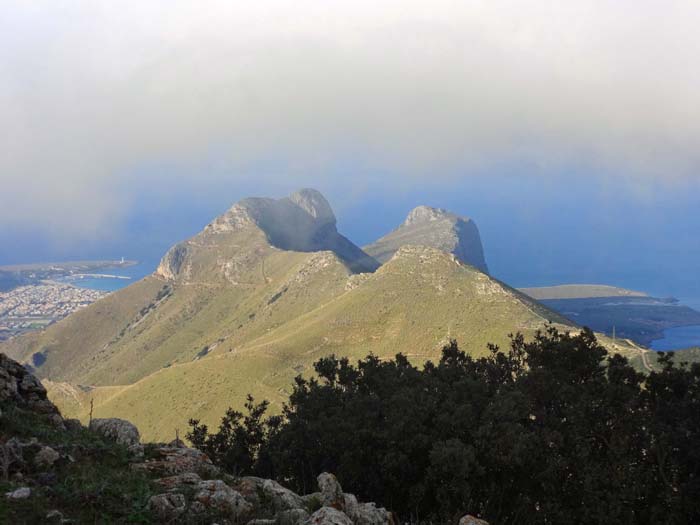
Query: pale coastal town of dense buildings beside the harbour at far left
[{"x": 36, "y": 306}]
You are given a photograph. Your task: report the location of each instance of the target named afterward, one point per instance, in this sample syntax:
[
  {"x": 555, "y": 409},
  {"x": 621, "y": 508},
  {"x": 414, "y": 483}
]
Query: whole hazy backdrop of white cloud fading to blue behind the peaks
[{"x": 570, "y": 131}]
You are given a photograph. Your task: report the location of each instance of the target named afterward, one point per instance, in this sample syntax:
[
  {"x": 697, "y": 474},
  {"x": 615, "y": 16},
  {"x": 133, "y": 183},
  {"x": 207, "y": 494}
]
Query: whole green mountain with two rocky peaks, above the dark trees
[{"x": 258, "y": 296}]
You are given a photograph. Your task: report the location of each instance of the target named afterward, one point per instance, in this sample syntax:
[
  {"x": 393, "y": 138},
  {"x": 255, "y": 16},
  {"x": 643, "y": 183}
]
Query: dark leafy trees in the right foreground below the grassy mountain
[{"x": 552, "y": 430}]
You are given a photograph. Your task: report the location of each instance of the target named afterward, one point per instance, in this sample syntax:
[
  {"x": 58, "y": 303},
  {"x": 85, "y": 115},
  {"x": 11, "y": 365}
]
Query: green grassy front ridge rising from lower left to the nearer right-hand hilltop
[{"x": 413, "y": 304}]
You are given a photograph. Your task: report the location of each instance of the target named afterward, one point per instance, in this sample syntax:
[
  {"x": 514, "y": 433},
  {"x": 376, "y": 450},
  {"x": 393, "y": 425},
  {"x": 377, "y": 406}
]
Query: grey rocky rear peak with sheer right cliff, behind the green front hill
[{"x": 435, "y": 228}]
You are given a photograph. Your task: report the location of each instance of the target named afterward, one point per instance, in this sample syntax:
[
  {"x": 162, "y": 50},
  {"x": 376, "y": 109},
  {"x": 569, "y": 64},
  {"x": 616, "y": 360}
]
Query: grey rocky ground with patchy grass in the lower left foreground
[{"x": 184, "y": 485}]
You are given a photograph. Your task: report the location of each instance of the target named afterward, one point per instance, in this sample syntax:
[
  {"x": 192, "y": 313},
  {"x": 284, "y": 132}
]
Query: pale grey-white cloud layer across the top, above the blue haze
[{"x": 99, "y": 100}]
